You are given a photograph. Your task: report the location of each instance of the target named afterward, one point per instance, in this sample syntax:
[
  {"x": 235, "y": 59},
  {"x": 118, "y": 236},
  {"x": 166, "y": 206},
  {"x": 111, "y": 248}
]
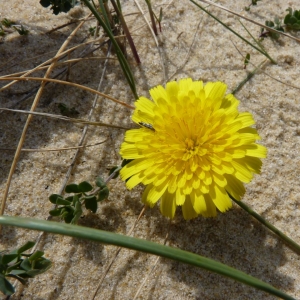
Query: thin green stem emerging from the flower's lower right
[{"x": 259, "y": 218}]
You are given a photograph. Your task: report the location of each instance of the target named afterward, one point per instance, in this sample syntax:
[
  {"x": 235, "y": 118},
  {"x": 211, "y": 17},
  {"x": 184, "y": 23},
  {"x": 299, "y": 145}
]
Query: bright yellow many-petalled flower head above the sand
[{"x": 193, "y": 148}]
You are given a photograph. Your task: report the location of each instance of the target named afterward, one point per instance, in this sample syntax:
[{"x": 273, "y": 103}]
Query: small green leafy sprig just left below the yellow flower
[{"x": 70, "y": 208}]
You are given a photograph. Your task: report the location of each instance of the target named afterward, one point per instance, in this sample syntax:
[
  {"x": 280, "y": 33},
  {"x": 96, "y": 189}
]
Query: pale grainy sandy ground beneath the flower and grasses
[{"x": 233, "y": 238}]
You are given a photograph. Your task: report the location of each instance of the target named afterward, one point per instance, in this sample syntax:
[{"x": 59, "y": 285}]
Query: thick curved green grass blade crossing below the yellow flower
[{"x": 144, "y": 246}]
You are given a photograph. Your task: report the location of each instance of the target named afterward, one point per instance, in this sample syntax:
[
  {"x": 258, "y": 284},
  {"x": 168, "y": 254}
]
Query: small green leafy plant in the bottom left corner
[{"x": 16, "y": 264}]
